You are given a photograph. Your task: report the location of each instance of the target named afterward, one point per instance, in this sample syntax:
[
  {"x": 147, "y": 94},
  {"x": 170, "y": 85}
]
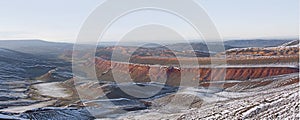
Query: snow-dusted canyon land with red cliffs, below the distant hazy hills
[{"x": 240, "y": 83}]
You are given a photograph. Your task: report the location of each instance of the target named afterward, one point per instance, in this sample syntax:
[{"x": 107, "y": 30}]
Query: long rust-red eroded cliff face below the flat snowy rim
[{"x": 173, "y": 75}]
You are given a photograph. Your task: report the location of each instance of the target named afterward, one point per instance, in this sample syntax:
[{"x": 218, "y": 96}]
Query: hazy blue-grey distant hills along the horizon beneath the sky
[{"x": 54, "y": 49}]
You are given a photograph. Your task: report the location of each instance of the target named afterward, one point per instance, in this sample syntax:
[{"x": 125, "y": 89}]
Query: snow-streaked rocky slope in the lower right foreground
[{"x": 277, "y": 100}]
